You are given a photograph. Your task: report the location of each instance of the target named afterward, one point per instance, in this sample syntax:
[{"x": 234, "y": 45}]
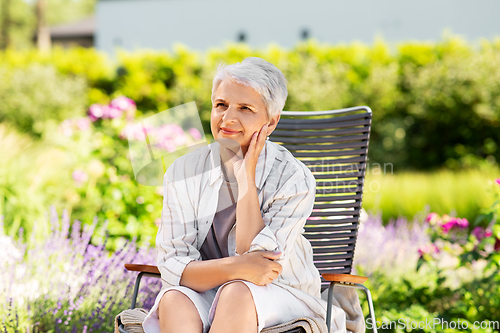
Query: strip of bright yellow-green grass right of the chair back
[{"x": 406, "y": 194}]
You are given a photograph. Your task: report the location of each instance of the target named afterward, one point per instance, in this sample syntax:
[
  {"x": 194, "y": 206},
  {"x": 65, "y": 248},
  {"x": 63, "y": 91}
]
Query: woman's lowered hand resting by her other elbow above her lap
[{"x": 259, "y": 267}]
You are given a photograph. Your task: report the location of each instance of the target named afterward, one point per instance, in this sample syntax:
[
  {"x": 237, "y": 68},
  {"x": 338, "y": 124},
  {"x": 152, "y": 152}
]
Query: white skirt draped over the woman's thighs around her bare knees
[{"x": 274, "y": 305}]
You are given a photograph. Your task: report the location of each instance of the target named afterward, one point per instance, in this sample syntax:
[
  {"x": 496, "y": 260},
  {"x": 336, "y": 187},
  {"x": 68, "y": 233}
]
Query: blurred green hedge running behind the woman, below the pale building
[{"x": 434, "y": 104}]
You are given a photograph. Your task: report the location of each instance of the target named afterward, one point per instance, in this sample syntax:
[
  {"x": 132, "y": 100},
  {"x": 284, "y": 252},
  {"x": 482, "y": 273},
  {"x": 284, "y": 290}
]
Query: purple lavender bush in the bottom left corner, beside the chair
[{"x": 65, "y": 283}]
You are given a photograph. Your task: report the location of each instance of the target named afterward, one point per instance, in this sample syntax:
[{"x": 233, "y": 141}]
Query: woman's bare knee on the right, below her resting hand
[{"x": 235, "y": 310}]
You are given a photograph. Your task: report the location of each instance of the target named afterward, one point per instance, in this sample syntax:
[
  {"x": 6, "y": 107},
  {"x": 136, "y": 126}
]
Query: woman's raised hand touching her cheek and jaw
[{"x": 244, "y": 168}]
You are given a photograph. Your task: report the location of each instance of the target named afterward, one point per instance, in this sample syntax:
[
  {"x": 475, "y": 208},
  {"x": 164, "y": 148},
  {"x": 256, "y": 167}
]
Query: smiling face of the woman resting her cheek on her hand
[{"x": 237, "y": 113}]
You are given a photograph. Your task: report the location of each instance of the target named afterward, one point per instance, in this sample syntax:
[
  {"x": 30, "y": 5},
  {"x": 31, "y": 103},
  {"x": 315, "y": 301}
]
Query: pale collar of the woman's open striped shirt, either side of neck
[{"x": 264, "y": 163}]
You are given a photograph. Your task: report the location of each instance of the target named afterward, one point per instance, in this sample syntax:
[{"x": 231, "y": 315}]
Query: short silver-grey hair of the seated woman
[{"x": 262, "y": 76}]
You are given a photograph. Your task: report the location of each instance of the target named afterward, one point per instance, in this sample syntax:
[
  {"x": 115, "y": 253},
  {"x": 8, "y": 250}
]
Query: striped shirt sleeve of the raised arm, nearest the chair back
[{"x": 285, "y": 219}]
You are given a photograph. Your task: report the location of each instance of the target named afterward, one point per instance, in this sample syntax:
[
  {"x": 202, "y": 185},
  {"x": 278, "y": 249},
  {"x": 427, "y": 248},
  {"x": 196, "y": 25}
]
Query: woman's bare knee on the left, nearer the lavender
[{"x": 178, "y": 314}]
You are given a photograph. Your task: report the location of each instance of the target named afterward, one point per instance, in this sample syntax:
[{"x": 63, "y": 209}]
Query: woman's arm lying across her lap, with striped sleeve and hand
[{"x": 178, "y": 259}]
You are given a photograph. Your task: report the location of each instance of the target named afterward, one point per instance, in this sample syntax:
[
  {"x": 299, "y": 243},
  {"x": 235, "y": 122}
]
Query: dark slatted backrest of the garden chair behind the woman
[{"x": 334, "y": 145}]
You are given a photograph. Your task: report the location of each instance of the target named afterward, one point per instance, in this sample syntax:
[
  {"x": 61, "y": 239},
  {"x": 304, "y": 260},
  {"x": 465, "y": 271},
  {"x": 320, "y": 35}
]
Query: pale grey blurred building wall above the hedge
[{"x": 201, "y": 24}]
